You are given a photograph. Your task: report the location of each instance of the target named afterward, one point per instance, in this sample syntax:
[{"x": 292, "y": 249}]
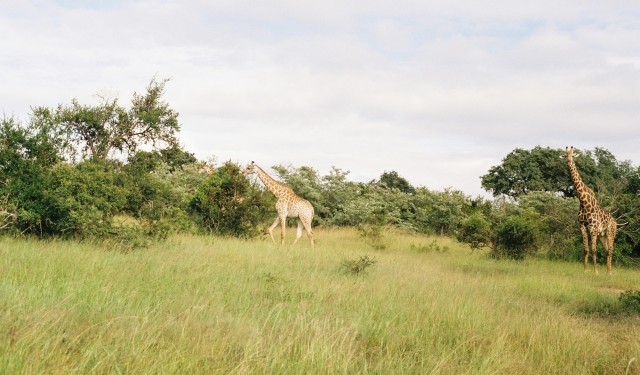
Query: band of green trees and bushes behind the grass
[{"x": 120, "y": 175}]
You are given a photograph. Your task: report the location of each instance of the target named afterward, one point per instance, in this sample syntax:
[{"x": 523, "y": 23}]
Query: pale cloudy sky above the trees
[{"x": 438, "y": 91}]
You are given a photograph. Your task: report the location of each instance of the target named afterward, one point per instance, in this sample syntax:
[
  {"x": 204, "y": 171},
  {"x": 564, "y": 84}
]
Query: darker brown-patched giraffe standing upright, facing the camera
[{"x": 595, "y": 221}]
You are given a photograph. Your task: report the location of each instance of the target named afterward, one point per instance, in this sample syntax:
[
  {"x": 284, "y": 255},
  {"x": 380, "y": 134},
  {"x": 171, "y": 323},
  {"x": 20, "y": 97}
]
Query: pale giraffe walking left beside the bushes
[{"x": 288, "y": 205}]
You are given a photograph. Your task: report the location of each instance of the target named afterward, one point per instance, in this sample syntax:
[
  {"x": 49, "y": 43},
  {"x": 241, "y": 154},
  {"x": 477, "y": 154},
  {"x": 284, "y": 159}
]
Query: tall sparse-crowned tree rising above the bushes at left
[{"x": 101, "y": 131}]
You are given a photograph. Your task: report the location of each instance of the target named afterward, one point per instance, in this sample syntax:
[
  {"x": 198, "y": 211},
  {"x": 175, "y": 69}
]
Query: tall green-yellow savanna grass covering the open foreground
[{"x": 208, "y": 305}]
